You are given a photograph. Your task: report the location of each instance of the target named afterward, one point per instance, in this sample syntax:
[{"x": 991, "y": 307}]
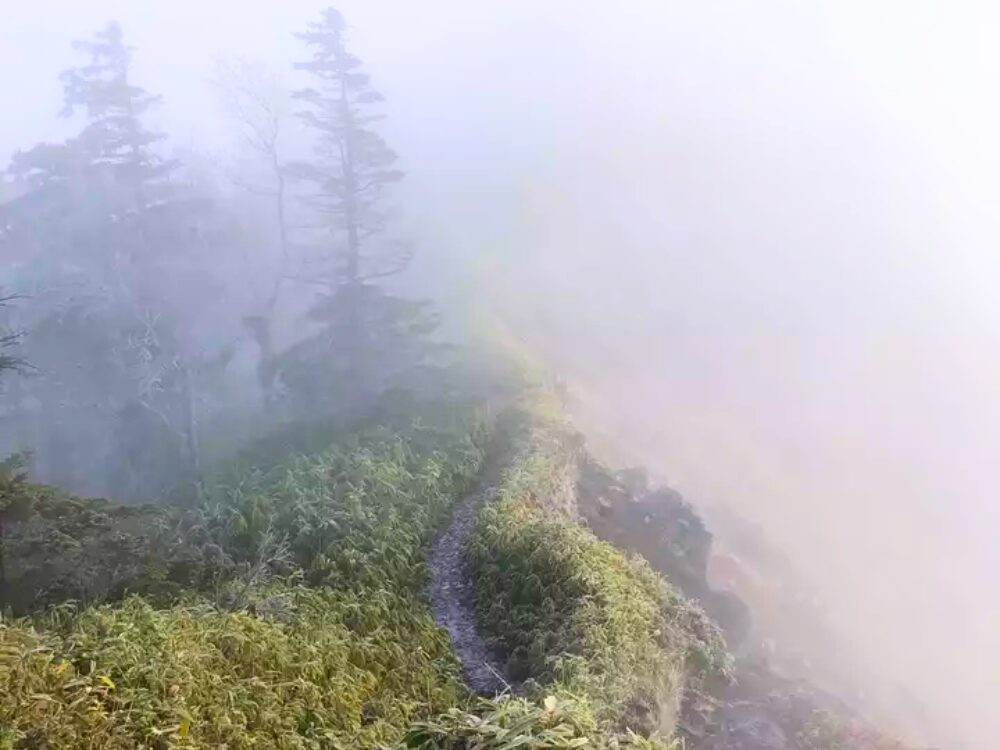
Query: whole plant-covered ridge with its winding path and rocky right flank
[{"x": 294, "y": 607}]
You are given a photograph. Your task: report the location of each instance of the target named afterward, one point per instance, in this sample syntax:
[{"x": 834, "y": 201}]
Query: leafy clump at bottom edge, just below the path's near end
[{"x": 507, "y": 723}]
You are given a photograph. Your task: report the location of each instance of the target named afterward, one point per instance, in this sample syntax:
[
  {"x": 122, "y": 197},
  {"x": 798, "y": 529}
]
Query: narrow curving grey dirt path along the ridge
[{"x": 452, "y": 598}]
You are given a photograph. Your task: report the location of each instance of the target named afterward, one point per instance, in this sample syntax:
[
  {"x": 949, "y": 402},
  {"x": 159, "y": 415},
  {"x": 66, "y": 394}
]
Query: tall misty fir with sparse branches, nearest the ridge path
[{"x": 369, "y": 338}]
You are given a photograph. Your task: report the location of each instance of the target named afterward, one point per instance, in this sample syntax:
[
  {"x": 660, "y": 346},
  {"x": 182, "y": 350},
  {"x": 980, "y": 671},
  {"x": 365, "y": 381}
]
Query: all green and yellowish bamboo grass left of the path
[{"x": 314, "y": 633}]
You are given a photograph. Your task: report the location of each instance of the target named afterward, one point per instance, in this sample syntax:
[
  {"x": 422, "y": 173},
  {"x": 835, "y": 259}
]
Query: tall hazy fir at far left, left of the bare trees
[{"x": 104, "y": 235}]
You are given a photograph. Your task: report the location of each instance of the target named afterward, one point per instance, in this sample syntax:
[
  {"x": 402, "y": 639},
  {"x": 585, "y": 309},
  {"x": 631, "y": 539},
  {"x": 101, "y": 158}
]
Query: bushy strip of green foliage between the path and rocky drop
[{"x": 576, "y": 615}]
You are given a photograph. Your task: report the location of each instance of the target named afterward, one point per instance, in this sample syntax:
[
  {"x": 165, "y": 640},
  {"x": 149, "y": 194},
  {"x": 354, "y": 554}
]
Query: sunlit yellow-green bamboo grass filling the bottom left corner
[{"x": 311, "y": 669}]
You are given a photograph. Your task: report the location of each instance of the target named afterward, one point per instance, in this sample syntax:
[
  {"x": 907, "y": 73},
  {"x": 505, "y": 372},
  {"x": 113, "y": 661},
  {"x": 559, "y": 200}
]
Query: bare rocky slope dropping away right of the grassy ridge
[{"x": 758, "y": 709}]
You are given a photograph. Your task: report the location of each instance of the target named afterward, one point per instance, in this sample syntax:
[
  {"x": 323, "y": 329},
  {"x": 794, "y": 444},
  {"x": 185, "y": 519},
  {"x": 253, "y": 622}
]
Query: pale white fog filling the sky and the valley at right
[{"x": 759, "y": 240}]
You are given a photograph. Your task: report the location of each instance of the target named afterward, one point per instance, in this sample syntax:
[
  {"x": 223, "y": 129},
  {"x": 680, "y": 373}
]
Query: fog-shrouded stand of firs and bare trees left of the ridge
[{"x": 152, "y": 304}]
